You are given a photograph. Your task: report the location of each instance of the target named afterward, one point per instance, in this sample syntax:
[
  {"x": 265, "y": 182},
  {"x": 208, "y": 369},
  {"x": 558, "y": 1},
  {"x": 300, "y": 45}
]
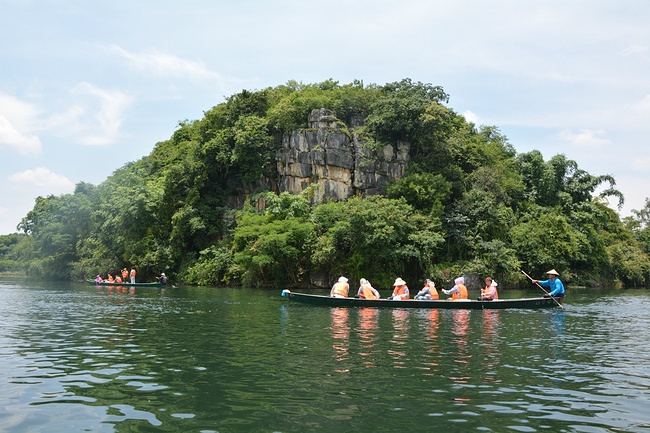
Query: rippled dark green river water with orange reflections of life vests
[{"x": 76, "y": 358}]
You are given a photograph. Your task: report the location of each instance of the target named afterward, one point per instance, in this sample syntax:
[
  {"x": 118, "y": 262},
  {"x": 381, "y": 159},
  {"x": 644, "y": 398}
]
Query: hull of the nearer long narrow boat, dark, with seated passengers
[{"x": 526, "y": 303}]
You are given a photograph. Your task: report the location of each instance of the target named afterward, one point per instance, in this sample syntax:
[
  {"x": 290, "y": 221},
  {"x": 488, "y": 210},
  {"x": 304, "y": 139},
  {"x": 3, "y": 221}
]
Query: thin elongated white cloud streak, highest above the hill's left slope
[{"x": 156, "y": 63}]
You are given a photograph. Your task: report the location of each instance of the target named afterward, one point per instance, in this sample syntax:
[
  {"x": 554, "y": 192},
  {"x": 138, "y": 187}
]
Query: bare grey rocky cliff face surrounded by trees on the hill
[{"x": 335, "y": 159}]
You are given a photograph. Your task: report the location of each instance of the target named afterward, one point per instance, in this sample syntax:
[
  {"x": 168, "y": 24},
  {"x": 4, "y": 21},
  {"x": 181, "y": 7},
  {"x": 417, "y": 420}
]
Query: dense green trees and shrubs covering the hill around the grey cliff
[{"x": 207, "y": 206}]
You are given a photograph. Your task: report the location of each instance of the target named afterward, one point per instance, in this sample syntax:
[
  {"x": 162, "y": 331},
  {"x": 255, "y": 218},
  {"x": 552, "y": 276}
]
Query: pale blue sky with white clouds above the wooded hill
[{"x": 88, "y": 86}]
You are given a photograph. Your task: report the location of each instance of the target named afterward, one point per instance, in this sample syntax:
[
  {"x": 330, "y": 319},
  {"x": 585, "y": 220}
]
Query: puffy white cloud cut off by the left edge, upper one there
[{"x": 17, "y": 121}]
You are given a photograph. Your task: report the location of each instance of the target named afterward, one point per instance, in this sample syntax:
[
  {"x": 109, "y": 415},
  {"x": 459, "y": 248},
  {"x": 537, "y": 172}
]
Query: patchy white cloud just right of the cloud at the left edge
[{"x": 94, "y": 117}]
